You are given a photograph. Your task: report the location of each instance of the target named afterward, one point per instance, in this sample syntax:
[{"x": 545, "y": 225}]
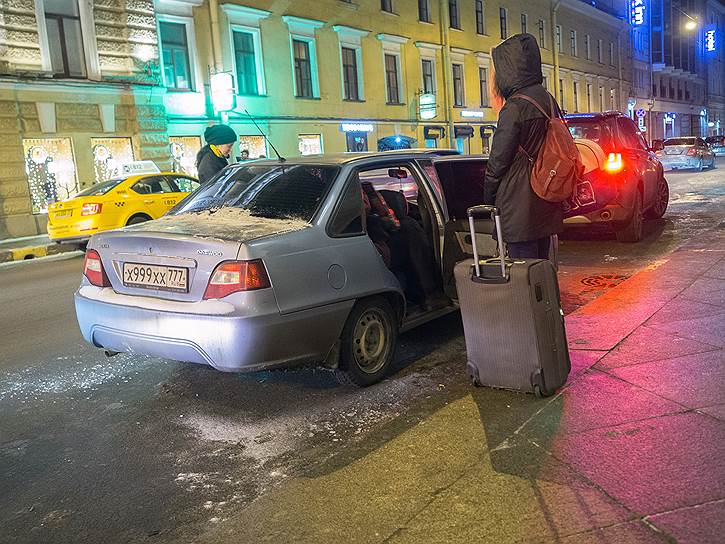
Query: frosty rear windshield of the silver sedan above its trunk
[{"x": 275, "y": 191}]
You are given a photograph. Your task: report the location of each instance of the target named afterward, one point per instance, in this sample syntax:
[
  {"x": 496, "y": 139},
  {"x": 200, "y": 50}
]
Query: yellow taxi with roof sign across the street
[{"x": 126, "y": 200}]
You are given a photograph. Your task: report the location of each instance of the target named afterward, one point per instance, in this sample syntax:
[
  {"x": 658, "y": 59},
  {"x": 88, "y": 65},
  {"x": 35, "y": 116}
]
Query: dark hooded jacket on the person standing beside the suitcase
[{"x": 507, "y": 183}]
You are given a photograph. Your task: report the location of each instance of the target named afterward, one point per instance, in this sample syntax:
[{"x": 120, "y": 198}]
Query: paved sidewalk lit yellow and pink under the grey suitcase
[{"x": 632, "y": 450}]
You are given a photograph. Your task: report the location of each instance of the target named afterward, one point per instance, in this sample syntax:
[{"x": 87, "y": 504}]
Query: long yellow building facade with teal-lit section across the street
[{"x": 89, "y": 84}]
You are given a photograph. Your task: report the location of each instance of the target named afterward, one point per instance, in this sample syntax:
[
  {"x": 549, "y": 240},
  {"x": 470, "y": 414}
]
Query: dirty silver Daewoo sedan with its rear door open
[{"x": 277, "y": 263}]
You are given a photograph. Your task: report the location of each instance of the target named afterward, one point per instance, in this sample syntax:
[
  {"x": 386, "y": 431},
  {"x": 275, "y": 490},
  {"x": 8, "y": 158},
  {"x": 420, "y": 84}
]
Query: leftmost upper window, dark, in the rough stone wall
[{"x": 65, "y": 40}]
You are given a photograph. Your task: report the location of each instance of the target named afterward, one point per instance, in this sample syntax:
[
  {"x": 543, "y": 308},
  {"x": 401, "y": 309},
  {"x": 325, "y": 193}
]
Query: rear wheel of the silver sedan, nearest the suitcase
[{"x": 368, "y": 344}]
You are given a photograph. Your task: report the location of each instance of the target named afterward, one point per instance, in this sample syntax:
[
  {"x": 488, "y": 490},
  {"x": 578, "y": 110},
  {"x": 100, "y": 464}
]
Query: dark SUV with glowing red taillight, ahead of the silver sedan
[{"x": 631, "y": 170}]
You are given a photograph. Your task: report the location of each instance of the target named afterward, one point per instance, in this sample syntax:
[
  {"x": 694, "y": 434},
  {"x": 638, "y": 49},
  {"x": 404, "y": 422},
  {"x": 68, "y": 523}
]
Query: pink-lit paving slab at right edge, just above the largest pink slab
[{"x": 695, "y": 380}]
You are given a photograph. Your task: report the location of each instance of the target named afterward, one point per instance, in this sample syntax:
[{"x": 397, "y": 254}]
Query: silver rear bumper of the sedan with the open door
[{"x": 228, "y": 342}]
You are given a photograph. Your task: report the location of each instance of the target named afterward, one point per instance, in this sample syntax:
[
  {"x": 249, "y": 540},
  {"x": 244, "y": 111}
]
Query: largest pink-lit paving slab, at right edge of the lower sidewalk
[{"x": 655, "y": 465}]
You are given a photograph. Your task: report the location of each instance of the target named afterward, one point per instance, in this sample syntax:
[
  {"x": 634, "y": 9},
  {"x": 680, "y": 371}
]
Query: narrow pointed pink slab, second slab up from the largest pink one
[{"x": 647, "y": 344}]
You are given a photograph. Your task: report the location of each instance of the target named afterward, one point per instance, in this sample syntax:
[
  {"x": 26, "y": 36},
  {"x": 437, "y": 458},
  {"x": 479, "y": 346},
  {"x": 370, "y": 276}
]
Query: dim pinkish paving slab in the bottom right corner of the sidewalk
[{"x": 701, "y": 524}]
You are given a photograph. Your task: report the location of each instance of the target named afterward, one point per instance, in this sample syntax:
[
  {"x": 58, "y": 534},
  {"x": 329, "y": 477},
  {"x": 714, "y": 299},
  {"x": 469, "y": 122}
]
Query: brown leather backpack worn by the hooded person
[{"x": 557, "y": 167}]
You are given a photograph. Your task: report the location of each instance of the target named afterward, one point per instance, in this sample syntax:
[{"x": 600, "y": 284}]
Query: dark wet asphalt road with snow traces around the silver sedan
[{"x": 134, "y": 449}]
